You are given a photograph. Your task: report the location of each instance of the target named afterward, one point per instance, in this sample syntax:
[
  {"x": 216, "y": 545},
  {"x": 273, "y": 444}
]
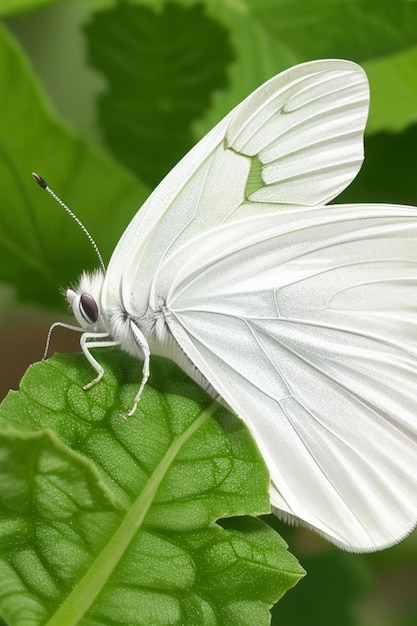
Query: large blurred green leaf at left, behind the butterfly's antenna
[{"x": 35, "y": 257}]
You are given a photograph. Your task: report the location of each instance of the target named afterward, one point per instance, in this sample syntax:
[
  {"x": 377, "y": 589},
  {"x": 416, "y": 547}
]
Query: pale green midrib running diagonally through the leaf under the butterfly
[{"x": 91, "y": 585}]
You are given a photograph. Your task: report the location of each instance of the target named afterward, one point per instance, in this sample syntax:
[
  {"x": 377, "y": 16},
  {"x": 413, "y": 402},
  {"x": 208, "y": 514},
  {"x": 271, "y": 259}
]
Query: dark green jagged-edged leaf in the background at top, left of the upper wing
[{"x": 162, "y": 69}]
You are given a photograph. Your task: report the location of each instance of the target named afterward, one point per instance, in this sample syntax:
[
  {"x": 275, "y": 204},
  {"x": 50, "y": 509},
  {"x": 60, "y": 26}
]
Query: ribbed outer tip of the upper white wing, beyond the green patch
[{"x": 305, "y": 131}]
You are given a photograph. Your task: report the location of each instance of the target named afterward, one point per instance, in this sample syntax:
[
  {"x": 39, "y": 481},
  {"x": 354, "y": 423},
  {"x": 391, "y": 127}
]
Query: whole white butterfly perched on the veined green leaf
[{"x": 301, "y": 316}]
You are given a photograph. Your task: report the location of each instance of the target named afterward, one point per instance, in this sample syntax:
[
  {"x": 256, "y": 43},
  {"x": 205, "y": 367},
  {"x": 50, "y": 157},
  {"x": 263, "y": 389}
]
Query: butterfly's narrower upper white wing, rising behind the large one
[{"x": 306, "y": 107}]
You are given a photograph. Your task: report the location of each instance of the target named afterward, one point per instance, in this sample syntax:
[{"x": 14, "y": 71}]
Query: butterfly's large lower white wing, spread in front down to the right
[{"x": 305, "y": 323}]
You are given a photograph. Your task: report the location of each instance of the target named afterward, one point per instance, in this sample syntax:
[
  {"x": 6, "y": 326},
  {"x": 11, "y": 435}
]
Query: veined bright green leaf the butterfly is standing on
[{"x": 111, "y": 521}]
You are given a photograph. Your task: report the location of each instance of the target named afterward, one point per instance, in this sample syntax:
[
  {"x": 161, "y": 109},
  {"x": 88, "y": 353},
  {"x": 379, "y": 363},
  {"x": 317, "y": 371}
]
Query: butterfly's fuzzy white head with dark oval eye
[{"x": 84, "y": 301}]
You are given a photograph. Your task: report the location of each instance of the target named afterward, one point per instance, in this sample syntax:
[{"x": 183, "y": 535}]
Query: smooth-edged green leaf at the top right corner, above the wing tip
[{"x": 324, "y": 29}]
